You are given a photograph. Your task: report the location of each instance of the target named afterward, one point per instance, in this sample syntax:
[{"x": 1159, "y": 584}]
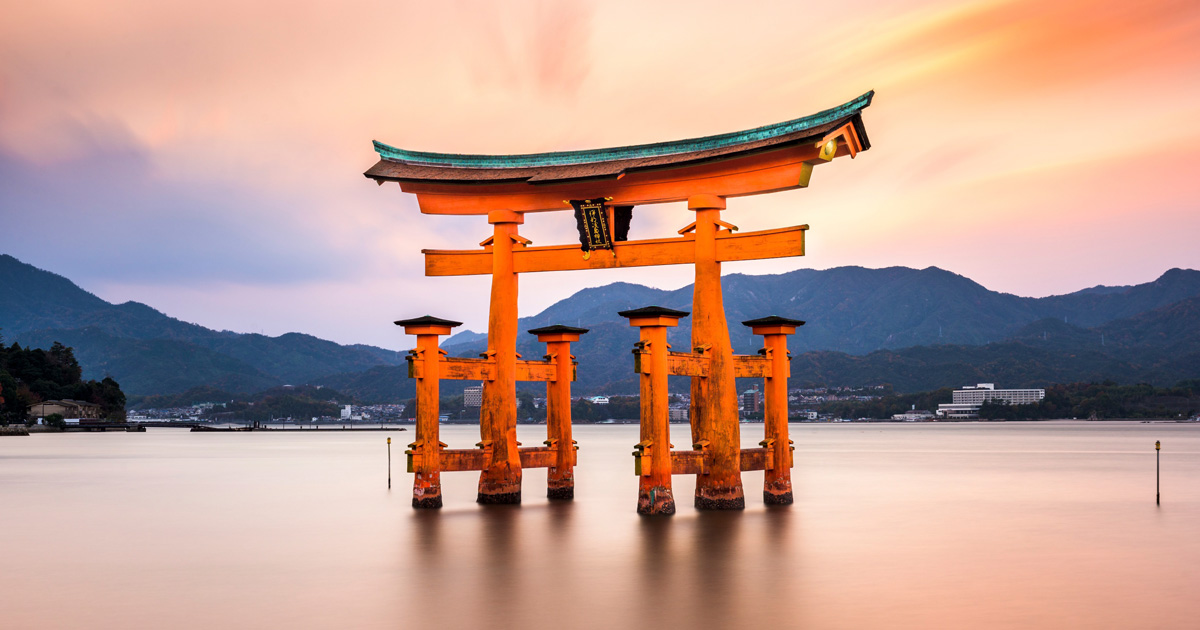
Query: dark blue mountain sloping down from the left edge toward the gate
[{"x": 152, "y": 353}]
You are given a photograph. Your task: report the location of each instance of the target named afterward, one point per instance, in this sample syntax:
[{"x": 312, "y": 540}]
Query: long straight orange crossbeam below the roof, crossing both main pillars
[{"x": 781, "y": 243}]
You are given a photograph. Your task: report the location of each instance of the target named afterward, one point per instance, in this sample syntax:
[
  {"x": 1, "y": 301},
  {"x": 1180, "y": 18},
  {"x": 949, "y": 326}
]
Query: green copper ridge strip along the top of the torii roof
[{"x": 626, "y": 153}]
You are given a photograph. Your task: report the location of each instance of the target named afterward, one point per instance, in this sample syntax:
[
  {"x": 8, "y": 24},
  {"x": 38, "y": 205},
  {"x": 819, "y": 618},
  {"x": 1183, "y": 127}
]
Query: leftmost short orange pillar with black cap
[{"x": 425, "y": 454}]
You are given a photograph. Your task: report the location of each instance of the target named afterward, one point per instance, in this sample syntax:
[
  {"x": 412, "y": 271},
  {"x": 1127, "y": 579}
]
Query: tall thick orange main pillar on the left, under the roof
[{"x": 501, "y": 481}]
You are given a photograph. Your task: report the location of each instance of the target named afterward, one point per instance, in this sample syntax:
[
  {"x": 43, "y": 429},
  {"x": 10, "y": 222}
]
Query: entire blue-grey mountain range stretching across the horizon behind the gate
[{"x": 915, "y": 329}]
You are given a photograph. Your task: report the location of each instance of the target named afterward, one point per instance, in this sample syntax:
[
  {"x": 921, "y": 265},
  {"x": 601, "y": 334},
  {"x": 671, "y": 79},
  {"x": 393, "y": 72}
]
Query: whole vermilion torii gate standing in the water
[{"x": 704, "y": 172}]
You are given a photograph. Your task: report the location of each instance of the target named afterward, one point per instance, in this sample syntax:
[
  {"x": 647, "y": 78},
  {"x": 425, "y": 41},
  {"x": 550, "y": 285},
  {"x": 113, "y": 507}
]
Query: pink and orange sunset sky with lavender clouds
[{"x": 207, "y": 158}]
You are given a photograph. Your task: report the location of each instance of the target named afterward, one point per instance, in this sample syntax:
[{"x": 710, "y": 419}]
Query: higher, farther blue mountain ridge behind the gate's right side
[{"x": 859, "y": 311}]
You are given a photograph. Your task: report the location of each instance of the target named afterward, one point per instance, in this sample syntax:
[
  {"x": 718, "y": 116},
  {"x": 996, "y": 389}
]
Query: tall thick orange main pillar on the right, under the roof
[{"x": 715, "y": 406}]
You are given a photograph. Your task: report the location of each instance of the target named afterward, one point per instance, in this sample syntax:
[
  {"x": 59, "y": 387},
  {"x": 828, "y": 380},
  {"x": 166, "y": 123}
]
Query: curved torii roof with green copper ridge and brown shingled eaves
[{"x": 400, "y": 165}]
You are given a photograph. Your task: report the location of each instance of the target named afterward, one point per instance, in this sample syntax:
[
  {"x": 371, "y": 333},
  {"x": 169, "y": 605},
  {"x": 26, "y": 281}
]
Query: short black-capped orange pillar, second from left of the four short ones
[{"x": 561, "y": 477}]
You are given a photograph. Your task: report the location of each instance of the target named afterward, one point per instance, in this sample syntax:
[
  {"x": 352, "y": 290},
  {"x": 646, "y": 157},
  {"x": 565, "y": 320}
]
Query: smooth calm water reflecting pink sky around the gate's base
[{"x": 896, "y": 526}]
